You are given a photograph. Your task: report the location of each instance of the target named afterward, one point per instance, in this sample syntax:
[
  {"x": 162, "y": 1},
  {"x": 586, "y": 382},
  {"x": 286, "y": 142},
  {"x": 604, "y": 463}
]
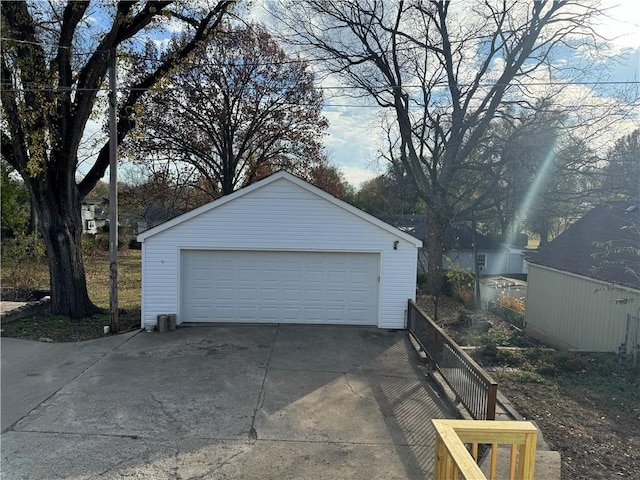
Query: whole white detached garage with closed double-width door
[{"x": 278, "y": 251}]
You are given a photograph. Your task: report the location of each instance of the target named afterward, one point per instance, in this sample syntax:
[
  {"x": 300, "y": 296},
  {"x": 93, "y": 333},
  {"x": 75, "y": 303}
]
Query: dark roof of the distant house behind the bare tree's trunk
[{"x": 455, "y": 238}]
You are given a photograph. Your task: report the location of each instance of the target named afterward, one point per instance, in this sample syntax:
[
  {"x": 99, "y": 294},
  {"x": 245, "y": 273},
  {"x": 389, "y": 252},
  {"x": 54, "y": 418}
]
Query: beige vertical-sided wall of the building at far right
[{"x": 573, "y": 312}]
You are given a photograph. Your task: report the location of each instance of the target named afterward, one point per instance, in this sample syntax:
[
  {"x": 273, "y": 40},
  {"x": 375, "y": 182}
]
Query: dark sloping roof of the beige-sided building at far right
[{"x": 579, "y": 248}]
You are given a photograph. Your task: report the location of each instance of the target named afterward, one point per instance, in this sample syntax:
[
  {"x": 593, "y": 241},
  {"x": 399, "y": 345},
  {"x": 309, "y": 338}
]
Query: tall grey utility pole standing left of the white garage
[{"x": 114, "y": 324}]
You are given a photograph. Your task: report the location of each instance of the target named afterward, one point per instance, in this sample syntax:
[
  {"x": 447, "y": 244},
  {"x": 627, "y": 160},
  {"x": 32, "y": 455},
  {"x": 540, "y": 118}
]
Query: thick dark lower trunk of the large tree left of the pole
[{"x": 60, "y": 221}]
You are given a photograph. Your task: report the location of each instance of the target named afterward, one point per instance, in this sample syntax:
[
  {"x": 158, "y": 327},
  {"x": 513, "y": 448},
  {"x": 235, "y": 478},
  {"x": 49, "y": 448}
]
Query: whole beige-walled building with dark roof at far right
[{"x": 578, "y": 301}]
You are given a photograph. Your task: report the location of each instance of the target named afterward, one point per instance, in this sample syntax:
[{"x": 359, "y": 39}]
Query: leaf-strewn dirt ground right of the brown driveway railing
[{"x": 586, "y": 405}]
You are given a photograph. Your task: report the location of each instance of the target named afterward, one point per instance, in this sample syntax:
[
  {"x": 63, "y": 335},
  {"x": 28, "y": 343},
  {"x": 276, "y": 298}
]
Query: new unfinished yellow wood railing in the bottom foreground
[{"x": 457, "y": 442}]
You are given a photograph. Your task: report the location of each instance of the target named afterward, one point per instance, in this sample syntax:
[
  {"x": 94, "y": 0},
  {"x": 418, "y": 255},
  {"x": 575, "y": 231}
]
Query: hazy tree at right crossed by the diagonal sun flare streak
[{"x": 548, "y": 173}]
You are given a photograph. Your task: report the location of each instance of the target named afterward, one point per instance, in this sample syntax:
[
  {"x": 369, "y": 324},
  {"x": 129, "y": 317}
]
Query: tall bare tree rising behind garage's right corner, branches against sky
[{"x": 445, "y": 70}]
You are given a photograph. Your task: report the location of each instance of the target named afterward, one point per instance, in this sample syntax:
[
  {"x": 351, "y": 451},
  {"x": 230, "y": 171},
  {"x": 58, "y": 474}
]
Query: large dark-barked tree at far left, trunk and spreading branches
[{"x": 55, "y": 58}]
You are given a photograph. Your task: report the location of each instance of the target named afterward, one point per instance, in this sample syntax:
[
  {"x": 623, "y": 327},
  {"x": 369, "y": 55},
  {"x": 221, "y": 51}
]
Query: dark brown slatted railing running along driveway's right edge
[{"x": 472, "y": 385}]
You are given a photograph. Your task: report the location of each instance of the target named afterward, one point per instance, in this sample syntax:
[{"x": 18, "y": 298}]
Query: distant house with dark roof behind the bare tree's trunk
[{"x": 494, "y": 258}]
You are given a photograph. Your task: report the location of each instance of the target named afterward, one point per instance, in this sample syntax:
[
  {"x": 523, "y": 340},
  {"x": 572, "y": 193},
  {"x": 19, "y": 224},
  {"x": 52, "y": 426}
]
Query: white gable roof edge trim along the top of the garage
[{"x": 264, "y": 183}]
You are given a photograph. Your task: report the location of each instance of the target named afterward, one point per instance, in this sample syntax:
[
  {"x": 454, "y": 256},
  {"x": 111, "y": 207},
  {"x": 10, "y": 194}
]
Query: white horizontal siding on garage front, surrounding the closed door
[{"x": 280, "y": 216}]
